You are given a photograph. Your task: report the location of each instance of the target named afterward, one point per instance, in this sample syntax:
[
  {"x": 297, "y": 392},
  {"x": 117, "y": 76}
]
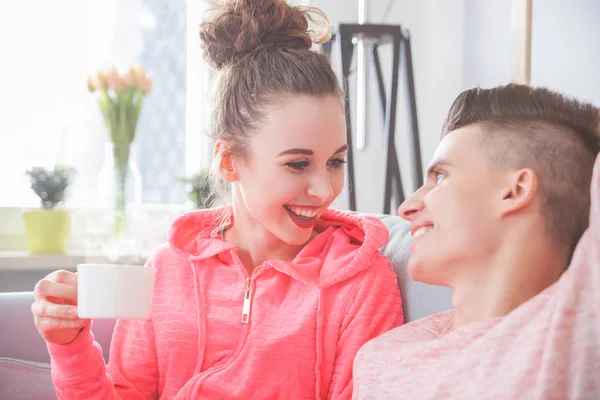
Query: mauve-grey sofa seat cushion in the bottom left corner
[{"x": 25, "y": 380}]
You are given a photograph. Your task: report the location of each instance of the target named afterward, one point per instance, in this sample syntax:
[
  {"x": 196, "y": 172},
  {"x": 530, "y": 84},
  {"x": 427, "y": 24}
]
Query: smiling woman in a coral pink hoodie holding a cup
[{"x": 271, "y": 297}]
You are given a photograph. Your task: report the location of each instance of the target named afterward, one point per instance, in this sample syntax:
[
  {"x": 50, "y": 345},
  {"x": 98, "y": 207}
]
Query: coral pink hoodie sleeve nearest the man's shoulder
[{"x": 376, "y": 309}]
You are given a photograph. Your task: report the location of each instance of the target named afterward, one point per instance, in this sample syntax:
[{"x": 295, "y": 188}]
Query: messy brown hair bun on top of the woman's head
[{"x": 239, "y": 27}]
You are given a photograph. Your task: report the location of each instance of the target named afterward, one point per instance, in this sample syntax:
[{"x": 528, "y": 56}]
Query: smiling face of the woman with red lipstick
[{"x": 294, "y": 166}]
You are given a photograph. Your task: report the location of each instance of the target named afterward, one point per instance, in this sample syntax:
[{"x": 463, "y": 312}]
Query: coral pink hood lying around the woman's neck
[{"x": 346, "y": 245}]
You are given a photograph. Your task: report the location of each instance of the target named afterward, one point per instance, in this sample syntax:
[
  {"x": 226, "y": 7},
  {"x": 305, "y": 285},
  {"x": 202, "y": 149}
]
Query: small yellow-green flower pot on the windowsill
[{"x": 47, "y": 231}]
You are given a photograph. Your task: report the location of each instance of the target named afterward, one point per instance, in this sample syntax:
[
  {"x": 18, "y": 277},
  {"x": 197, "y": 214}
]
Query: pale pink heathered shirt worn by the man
[{"x": 548, "y": 348}]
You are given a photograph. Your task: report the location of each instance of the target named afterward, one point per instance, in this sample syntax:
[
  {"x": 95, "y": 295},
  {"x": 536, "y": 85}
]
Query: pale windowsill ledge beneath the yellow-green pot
[{"x": 24, "y": 261}]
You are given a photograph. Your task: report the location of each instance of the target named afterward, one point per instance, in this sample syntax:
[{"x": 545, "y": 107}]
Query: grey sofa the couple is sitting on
[{"x": 24, "y": 360}]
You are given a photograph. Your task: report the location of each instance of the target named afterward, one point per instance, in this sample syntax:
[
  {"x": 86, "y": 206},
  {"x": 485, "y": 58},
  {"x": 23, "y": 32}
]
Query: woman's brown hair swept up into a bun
[{"x": 262, "y": 49}]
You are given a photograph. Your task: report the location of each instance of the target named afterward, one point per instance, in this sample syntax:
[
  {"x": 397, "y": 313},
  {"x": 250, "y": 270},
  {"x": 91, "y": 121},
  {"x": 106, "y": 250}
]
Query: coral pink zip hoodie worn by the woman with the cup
[{"x": 306, "y": 320}]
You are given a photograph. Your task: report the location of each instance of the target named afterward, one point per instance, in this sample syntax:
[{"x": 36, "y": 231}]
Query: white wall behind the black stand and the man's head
[{"x": 459, "y": 44}]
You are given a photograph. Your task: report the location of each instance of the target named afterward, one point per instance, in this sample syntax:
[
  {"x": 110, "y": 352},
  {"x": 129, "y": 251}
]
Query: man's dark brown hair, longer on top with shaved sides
[{"x": 534, "y": 127}]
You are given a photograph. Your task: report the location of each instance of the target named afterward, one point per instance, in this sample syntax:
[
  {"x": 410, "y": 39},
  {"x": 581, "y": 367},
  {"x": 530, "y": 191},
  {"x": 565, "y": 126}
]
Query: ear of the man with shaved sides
[{"x": 519, "y": 190}]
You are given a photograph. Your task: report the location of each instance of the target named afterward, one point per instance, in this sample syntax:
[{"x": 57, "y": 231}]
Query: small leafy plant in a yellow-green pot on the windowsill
[{"x": 48, "y": 229}]
